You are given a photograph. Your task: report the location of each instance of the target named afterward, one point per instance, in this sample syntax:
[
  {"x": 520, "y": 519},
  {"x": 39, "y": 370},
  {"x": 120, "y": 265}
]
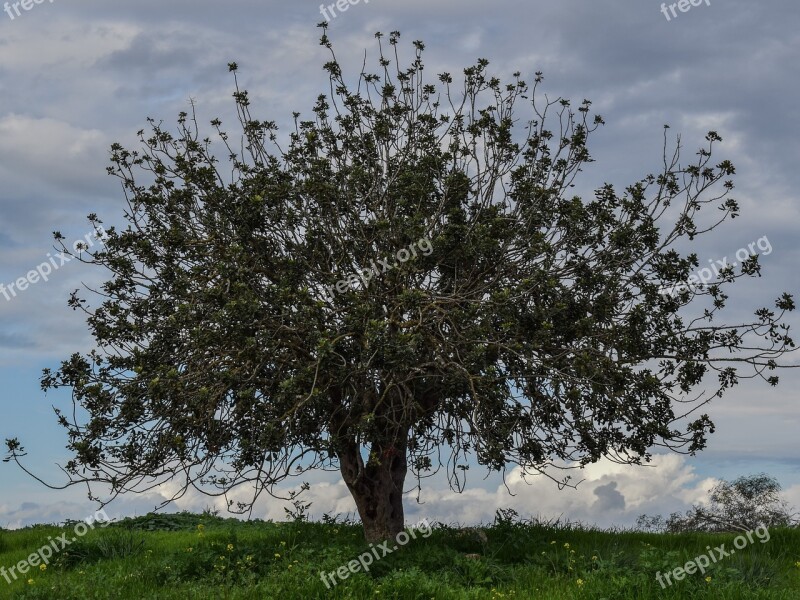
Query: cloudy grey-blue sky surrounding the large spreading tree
[{"x": 76, "y": 77}]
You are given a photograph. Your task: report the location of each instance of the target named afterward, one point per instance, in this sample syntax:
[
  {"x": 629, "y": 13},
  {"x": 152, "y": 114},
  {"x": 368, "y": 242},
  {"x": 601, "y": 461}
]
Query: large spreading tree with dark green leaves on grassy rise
[{"x": 240, "y": 339}]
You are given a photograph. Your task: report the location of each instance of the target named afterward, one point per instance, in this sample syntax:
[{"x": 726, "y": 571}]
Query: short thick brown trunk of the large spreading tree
[{"x": 377, "y": 488}]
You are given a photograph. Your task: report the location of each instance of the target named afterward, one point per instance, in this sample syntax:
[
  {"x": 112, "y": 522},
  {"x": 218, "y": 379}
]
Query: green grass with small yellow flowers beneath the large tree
[{"x": 186, "y": 556}]
